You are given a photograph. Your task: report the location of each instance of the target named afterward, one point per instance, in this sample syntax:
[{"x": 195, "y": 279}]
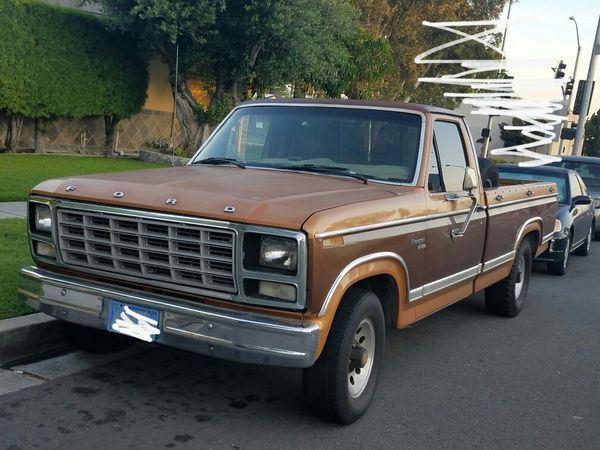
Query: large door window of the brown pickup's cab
[{"x": 451, "y": 151}]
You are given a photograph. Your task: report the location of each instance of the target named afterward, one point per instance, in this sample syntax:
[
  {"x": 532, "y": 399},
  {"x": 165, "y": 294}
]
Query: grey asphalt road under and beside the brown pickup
[{"x": 459, "y": 379}]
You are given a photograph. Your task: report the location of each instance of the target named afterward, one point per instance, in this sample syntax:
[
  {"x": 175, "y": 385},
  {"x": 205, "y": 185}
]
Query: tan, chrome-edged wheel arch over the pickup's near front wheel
[{"x": 381, "y": 263}]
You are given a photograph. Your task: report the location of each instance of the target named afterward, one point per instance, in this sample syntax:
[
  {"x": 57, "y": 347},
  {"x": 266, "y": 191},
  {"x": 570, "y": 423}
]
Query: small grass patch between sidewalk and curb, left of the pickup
[{"x": 14, "y": 254}]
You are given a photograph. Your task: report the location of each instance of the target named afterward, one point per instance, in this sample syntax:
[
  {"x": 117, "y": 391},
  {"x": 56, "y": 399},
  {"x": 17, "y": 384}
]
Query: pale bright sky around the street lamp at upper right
[{"x": 541, "y": 30}]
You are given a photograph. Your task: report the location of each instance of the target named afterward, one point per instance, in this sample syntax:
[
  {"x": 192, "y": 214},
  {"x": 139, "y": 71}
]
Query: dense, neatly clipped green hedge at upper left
[{"x": 56, "y": 61}]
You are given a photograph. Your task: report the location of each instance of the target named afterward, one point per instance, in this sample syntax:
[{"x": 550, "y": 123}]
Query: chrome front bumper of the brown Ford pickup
[{"x": 217, "y": 332}]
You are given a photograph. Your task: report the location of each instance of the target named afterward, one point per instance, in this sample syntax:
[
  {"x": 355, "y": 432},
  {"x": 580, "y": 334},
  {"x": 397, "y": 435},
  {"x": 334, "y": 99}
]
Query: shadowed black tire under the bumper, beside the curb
[{"x": 96, "y": 341}]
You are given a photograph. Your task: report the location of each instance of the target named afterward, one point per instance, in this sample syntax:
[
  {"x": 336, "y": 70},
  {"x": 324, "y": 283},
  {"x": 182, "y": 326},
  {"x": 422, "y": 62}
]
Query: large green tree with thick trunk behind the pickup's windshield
[{"x": 233, "y": 45}]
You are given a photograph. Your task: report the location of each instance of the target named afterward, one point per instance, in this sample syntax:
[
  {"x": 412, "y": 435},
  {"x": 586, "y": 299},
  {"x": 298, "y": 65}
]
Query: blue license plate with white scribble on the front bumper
[{"x": 135, "y": 321}]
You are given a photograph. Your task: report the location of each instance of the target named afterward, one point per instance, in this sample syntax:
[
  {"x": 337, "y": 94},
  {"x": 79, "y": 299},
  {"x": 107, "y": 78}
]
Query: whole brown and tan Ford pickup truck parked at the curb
[{"x": 294, "y": 237}]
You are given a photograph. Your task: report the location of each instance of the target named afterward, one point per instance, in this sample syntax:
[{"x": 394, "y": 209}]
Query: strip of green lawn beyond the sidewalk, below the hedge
[{"x": 20, "y": 172}]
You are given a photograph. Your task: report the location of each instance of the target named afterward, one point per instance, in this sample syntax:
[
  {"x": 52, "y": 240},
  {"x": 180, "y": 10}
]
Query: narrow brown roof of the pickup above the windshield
[{"x": 367, "y": 103}]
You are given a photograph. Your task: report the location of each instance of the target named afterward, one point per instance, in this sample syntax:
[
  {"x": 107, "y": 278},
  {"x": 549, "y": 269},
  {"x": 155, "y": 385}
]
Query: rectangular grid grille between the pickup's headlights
[{"x": 181, "y": 253}]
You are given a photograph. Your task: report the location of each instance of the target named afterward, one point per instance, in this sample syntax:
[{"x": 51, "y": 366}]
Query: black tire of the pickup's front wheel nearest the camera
[{"x": 328, "y": 383}]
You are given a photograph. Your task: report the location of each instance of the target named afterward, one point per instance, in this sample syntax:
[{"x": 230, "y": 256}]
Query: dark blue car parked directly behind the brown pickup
[{"x": 575, "y": 215}]
